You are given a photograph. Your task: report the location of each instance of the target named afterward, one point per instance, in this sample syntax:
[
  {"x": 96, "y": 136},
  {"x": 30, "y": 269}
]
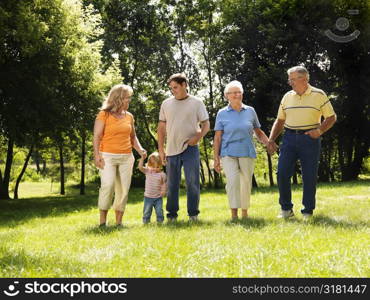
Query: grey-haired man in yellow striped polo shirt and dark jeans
[{"x": 300, "y": 114}]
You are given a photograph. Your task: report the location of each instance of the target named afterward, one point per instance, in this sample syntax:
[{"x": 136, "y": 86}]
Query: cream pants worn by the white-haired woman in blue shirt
[{"x": 239, "y": 172}]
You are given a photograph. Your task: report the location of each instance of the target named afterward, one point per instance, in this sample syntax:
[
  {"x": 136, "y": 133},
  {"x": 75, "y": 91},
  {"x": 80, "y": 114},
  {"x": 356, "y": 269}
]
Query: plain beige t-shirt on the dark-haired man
[{"x": 182, "y": 119}]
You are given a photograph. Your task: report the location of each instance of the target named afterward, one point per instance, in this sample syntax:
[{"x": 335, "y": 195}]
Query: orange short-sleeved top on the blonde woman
[{"x": 117, "y": 133}]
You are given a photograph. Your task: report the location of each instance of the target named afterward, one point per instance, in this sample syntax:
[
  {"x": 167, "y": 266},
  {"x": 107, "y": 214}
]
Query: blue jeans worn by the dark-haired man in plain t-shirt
[{"x": 191, "y": 162}]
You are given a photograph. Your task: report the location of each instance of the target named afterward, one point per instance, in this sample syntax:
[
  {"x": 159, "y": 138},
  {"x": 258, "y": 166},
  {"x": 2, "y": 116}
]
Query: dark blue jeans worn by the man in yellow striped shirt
[{"x": 307, "y": 150}]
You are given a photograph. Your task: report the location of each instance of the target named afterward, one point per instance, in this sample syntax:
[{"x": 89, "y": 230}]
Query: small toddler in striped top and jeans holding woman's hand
[{"x": 155, "y": 187}]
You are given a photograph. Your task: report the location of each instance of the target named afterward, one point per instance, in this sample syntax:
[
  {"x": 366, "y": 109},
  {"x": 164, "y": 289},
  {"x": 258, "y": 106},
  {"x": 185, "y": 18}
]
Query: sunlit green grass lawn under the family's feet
[{"x": 54, "y": 236}]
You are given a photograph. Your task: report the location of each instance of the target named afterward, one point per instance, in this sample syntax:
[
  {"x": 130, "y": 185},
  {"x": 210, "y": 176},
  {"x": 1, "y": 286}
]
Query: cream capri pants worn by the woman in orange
[{"x": 115, "y": 178}]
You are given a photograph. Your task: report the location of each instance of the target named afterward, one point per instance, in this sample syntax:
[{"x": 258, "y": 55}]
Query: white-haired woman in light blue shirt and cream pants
[{"x": 234, "y": 128}]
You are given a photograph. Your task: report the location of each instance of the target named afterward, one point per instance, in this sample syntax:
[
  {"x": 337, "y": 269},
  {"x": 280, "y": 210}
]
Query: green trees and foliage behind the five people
[{"x": 58, "y": 60}]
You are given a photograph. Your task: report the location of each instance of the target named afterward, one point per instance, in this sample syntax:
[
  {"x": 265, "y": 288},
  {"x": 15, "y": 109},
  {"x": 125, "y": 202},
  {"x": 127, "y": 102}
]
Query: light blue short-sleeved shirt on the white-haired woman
[{"x": 237, "y": 130}]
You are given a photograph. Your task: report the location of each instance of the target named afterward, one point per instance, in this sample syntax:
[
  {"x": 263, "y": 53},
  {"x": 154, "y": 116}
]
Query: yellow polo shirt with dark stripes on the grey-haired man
[{"x": 303, "y": 112}]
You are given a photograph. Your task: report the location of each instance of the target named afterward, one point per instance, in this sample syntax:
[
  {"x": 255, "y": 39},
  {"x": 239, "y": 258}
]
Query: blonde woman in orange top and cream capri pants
[{"x": 114, "y": 138}]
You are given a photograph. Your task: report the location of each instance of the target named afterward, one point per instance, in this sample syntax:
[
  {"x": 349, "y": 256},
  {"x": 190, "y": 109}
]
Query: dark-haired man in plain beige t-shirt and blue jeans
[{"x": 179, "y": 120}]
